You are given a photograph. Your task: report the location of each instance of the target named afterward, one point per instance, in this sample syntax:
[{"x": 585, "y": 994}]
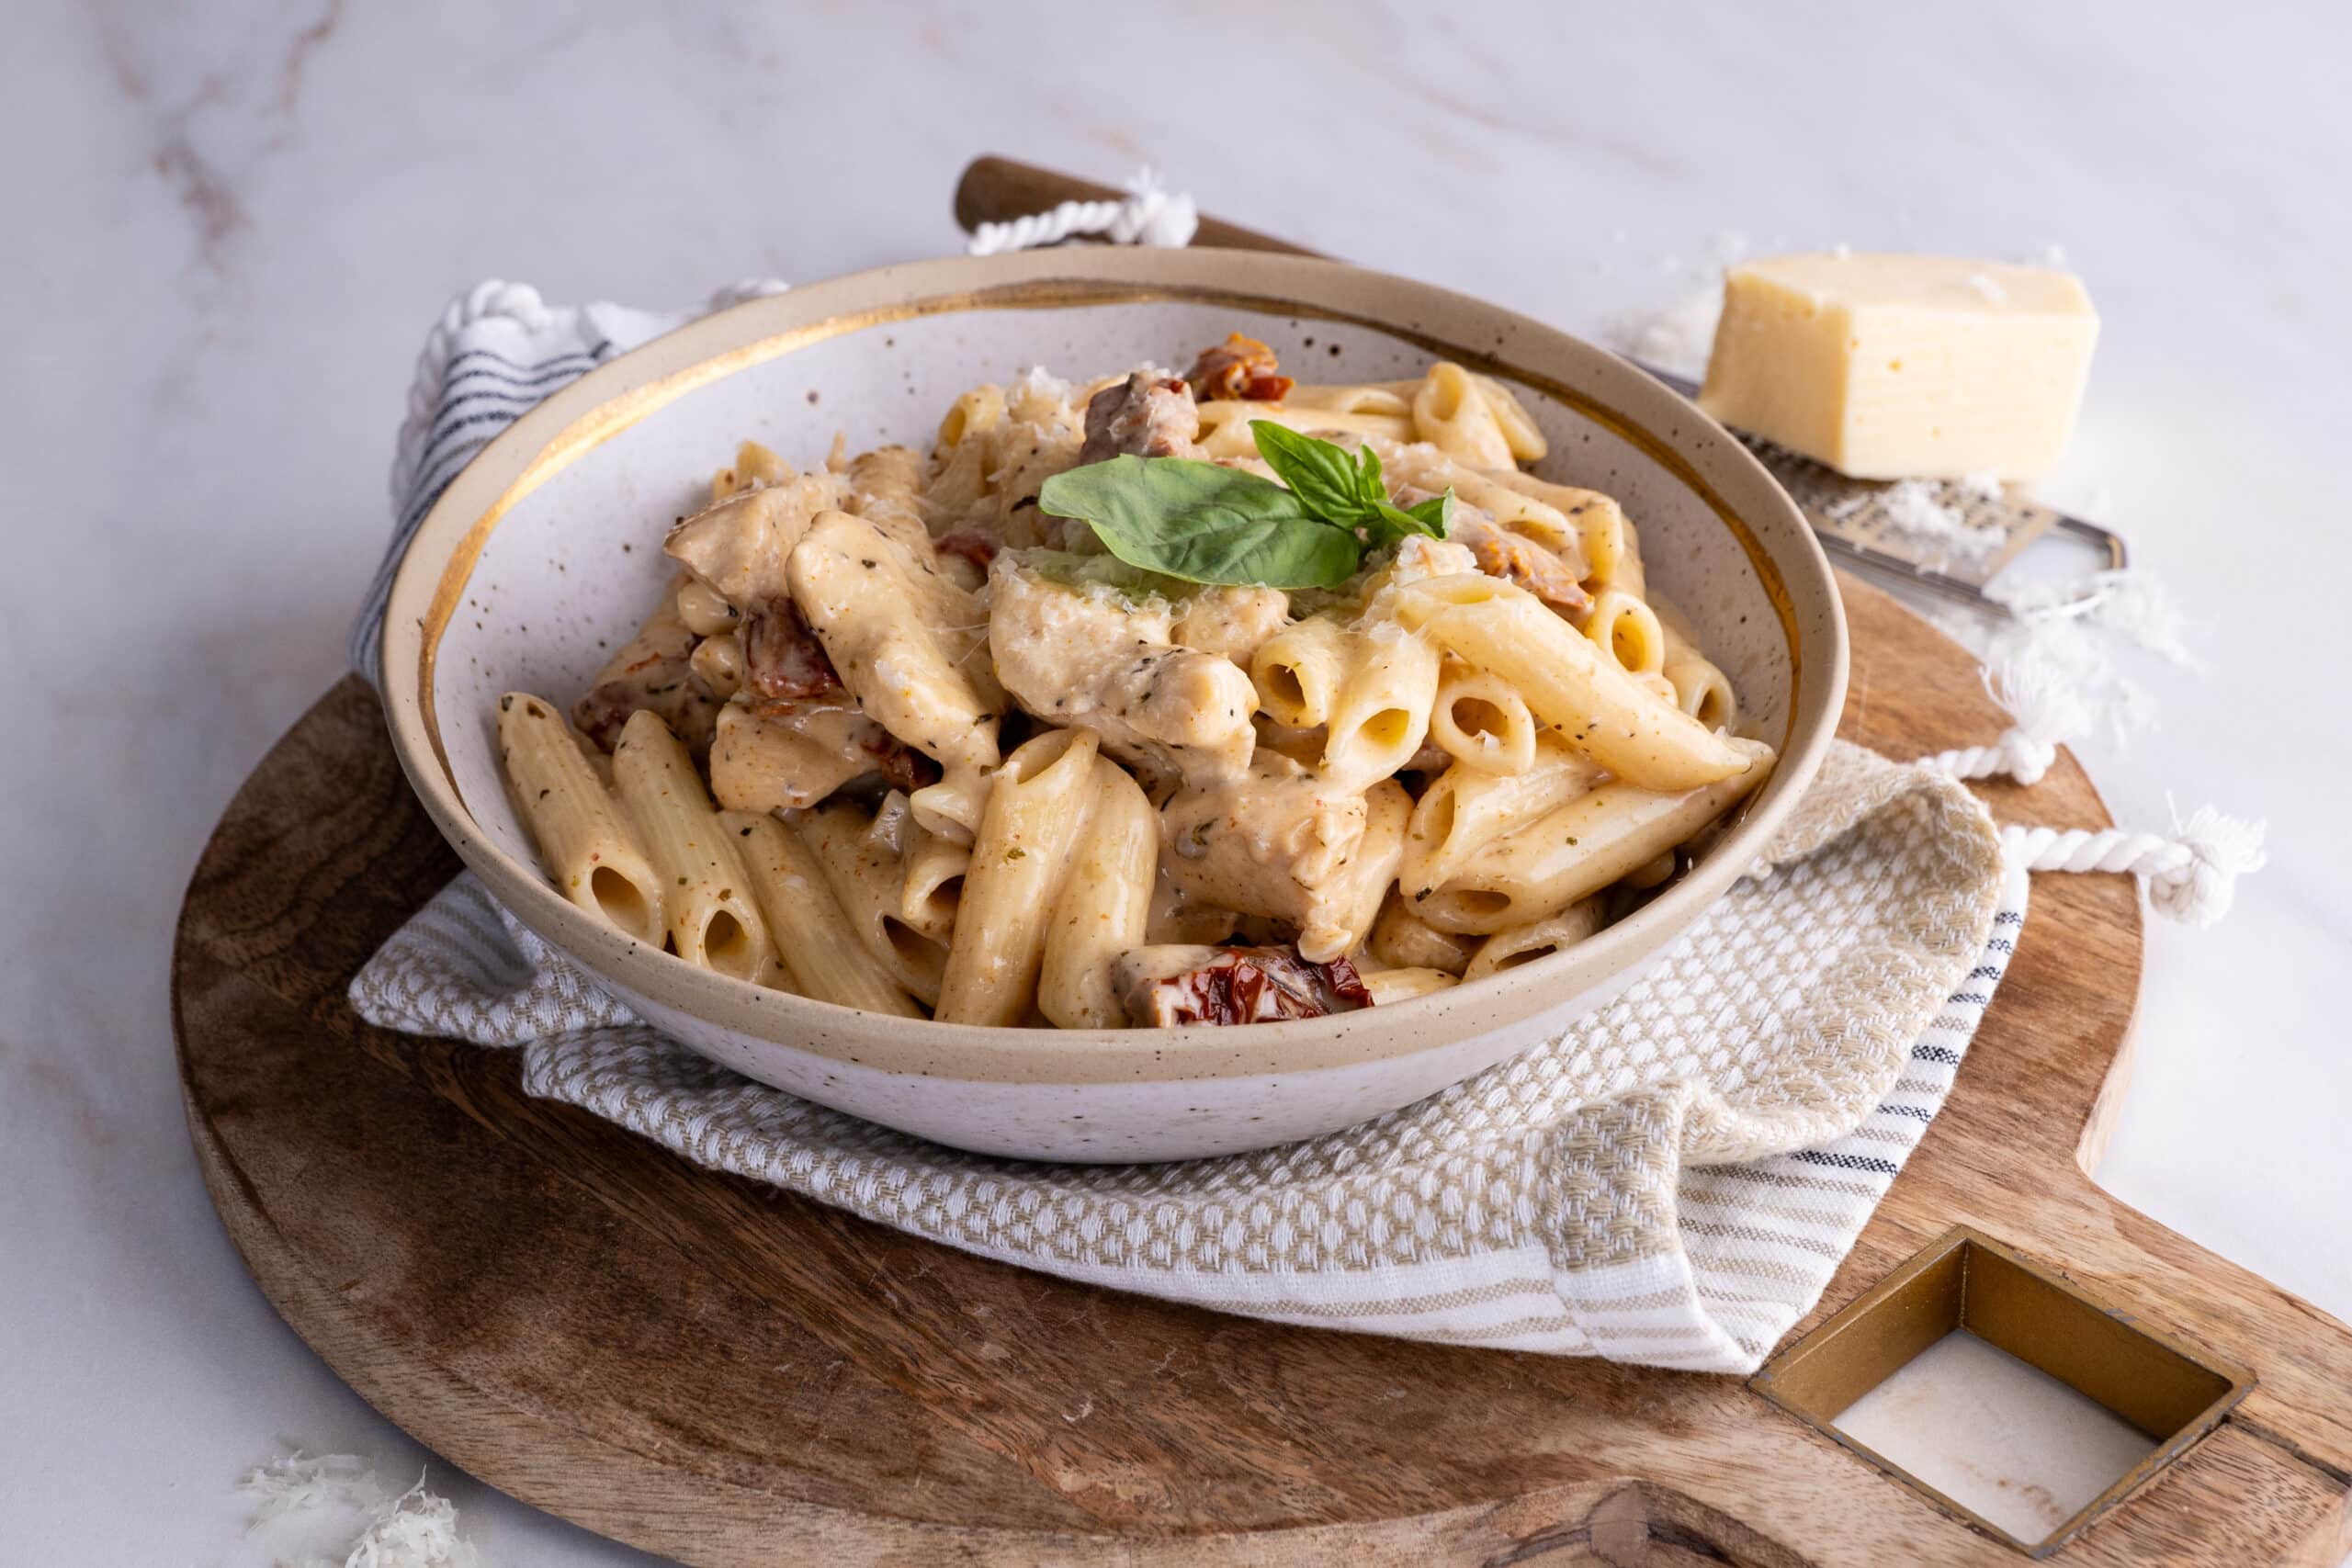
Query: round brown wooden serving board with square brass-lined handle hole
[{"x": 726, "y": 1374}]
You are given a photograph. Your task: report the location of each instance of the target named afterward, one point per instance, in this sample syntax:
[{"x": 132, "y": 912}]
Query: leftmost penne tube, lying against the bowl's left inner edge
[{"x": 584, "y": 836}]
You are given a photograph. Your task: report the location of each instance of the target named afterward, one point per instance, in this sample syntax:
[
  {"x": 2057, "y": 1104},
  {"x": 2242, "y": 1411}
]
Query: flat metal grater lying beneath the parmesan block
[{"x": 1857, "y": 523}]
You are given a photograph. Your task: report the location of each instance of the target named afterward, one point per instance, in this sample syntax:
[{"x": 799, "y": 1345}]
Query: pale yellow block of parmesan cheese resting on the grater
[{"x": 1895, "y": 368}]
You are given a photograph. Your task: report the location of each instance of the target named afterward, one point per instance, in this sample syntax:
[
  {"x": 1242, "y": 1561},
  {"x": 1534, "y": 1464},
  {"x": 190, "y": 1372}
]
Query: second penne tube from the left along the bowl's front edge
[{"x": 707, "y": 894}]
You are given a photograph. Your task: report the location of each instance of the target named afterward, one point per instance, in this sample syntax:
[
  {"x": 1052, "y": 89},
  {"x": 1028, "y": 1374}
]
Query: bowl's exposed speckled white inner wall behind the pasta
[{"x": 575, "y": 565}]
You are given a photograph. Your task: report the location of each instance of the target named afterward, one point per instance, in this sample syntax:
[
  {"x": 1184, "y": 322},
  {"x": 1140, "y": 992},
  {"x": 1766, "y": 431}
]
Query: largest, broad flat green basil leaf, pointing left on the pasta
[{"x": 1203, "y": 523}]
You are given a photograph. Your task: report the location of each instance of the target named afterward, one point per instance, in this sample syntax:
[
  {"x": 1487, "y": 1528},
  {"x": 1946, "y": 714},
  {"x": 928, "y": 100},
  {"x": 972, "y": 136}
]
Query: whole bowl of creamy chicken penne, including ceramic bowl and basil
[{"x": 1290, "y": 742}]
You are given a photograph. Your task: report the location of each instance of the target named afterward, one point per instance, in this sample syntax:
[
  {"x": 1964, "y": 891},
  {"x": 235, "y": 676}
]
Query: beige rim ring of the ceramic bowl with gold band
[{"x": 608, "y": 401}]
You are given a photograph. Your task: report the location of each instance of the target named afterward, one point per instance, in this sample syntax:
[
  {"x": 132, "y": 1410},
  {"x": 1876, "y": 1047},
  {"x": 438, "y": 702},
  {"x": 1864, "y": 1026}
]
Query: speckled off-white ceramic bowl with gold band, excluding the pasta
[{"x": 547, "y": 551}]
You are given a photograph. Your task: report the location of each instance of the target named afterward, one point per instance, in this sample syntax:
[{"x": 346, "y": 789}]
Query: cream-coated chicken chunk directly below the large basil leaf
[{"x": 1102, "y": 662}]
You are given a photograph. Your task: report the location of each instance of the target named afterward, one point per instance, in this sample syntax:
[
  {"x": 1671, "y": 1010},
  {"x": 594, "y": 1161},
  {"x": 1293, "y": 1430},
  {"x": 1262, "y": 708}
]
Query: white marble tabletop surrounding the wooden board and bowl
[{"x": 232, "y": 225}]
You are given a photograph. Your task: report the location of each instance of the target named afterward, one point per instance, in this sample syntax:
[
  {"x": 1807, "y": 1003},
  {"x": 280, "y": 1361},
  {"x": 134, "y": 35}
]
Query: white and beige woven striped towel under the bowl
[{"x": 1671, "y": 1181}]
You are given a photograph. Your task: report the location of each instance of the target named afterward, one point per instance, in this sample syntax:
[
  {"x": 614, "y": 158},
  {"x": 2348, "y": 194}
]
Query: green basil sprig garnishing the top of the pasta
[{"x": 1222, "y": 525}]
